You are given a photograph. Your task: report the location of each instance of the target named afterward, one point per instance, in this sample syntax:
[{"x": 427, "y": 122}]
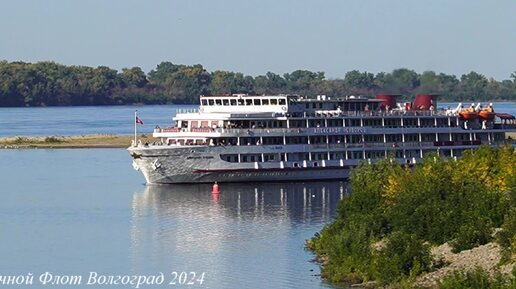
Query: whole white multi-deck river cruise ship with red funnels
[{"x": 239, "y": 138}]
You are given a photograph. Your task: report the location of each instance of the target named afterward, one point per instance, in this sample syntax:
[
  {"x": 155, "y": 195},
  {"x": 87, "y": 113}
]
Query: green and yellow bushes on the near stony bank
[{"x": 414, "y": 227}]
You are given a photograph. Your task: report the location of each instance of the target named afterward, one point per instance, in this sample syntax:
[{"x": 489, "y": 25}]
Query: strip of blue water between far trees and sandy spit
[{"x": 78, "y": 120}]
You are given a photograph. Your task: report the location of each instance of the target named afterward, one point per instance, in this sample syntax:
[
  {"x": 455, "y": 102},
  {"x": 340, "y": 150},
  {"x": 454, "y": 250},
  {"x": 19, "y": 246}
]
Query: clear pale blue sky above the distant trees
[{"x": 254, "y": 37}]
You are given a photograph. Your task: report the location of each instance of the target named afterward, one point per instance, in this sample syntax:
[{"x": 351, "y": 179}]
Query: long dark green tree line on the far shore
[{"x": 52, "y": 84}]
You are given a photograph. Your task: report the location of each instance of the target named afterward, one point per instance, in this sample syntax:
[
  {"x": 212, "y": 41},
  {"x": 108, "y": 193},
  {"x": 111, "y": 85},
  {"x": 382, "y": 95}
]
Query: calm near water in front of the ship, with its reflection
[{"x": 72, "y": 211}]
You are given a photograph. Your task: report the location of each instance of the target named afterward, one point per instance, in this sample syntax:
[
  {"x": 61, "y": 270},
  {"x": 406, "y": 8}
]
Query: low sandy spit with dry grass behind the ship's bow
[{"x": 82, "y": 141}]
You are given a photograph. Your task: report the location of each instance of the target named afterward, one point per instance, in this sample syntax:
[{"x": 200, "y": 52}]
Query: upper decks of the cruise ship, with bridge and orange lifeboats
[{"x": 289, "y": 111}]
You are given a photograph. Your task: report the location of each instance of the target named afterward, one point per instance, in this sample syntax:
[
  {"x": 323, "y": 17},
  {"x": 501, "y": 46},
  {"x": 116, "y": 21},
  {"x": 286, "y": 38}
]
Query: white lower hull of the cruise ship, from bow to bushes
[{"x": 177, "y": 165}]
